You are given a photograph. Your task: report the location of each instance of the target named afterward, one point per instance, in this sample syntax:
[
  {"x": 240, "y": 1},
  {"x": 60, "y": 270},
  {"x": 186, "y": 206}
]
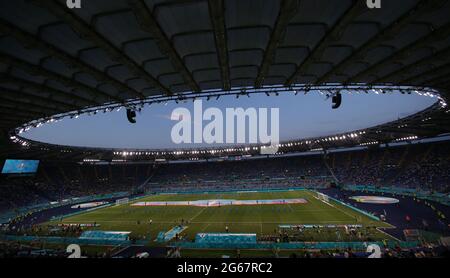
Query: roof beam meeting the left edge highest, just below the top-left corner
[{"x": 30, "y": 41}]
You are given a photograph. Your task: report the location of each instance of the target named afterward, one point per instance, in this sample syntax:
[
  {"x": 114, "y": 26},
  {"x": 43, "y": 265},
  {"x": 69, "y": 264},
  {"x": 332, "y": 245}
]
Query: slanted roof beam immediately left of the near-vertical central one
[{"x": 149, "y": 24}]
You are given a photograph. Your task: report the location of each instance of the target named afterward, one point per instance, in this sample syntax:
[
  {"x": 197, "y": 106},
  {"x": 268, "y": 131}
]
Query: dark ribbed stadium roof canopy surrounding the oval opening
[{"x": 54, "y": 59}]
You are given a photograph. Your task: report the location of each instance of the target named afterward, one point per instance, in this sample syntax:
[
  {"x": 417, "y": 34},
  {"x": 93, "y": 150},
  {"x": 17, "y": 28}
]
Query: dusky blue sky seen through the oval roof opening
[{"x": 301, "y": 116}]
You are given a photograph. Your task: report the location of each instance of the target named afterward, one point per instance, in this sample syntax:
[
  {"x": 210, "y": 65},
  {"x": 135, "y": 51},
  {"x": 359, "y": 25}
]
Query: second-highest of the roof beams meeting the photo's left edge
[{"x": 40, "y": 71}]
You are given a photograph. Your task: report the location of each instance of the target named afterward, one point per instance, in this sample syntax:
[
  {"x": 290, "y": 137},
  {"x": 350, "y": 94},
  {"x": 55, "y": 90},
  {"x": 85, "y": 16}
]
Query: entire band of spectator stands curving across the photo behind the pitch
[{"x": 423, "y": 167}]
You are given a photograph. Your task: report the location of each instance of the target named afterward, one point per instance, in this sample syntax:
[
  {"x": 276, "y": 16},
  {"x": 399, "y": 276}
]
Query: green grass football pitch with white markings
[{"x": 260, "y": 219}]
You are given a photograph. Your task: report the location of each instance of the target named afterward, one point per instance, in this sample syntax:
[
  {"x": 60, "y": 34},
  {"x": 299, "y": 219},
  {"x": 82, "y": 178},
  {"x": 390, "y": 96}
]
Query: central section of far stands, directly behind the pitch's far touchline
[{"x": 245, "y": 174}]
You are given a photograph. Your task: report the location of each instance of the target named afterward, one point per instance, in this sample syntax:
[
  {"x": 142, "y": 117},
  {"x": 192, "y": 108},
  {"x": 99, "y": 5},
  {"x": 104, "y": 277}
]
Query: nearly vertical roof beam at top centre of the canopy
[{"x": 217, "y": 15}]
